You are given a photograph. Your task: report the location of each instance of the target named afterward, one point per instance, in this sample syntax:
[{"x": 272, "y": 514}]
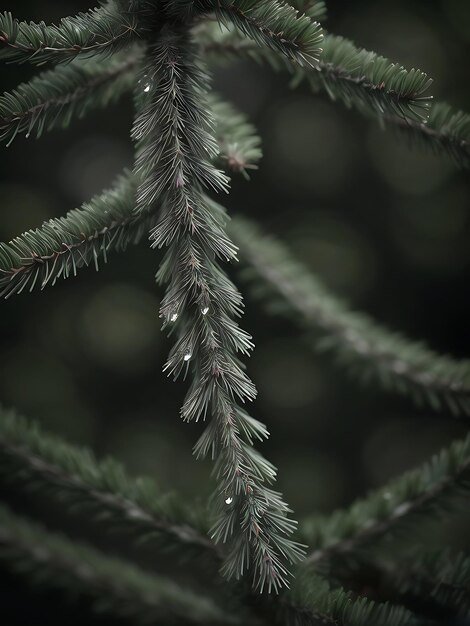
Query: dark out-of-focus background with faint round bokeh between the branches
[{"x": 385, "y": 227}]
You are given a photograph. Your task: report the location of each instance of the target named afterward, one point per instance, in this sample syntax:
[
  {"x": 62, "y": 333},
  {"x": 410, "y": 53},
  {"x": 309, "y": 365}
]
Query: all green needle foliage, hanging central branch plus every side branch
[{"x": 161, "y": 50}]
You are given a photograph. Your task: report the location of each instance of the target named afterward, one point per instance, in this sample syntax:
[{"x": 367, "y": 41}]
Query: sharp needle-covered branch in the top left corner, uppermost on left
[{"x": 102, "y": 30}]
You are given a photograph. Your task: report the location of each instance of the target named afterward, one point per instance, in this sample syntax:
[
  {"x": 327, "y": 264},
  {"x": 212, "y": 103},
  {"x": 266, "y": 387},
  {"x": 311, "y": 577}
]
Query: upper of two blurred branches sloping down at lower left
[{"x": 72, "y": 475}]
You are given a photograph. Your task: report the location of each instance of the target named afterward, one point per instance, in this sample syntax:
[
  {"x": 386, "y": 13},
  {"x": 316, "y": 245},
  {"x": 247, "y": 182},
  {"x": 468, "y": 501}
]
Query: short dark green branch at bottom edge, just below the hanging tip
[{"x": 311, "y": 602}]
